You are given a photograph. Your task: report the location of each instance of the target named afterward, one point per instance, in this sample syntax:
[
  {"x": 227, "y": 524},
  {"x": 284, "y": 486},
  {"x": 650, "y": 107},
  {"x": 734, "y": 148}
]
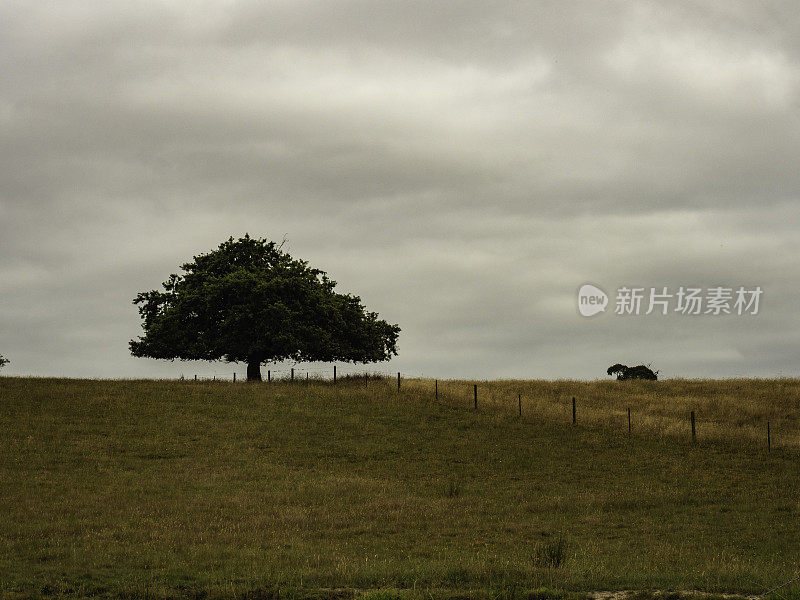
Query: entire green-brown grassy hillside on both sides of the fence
[{"x": 168, "y": 489}]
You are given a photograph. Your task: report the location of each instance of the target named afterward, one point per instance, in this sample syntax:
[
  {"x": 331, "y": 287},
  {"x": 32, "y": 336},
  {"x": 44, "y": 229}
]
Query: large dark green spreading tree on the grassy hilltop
[{"x": 249, "y": 301}]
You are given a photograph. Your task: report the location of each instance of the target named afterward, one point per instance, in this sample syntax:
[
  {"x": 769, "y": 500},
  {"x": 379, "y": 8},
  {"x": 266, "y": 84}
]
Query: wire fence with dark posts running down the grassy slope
[{"x": 695, "y": 421}]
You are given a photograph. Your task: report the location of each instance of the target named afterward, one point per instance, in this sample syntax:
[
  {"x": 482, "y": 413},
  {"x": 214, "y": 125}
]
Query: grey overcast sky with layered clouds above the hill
[{"x": 464, "y": 167}]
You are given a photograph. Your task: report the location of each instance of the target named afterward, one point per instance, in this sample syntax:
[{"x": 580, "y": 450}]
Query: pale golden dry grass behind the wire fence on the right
[{"x": 734, "y": 410}]
